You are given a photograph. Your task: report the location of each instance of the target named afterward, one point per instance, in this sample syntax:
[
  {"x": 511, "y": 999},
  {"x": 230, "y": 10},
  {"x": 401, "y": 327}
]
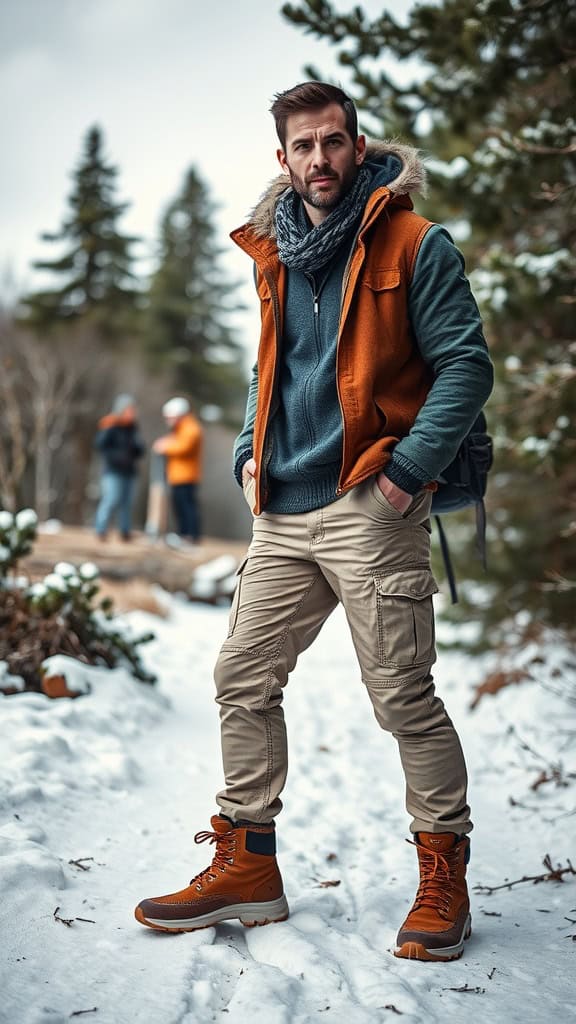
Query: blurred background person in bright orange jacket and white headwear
[{"x": 183, "y": 449}]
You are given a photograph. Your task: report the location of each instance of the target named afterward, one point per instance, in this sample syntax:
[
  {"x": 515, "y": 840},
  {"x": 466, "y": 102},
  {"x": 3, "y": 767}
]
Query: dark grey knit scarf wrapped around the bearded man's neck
[{"x": 309, "y": 250}]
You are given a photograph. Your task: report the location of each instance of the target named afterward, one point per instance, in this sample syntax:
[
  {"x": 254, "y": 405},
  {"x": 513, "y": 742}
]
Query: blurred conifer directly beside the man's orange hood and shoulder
[{"x": 190, "y": 304}]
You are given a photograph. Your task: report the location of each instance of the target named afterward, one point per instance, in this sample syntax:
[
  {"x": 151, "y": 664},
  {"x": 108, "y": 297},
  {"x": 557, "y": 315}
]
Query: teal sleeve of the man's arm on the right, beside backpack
[{"x": 447, "y": 328}]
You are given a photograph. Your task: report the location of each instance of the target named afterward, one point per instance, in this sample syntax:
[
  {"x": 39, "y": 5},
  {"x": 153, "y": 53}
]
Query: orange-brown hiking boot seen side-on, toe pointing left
[{"x": 243, "y": 882}]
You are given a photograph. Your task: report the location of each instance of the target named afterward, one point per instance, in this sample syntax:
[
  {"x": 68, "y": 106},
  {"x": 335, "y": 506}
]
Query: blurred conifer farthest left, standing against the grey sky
[{"x": 95, "y": 277}]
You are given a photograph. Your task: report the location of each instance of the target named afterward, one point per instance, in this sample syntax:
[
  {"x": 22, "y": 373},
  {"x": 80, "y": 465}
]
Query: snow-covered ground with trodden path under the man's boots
[{"x": 101, "y": 797}]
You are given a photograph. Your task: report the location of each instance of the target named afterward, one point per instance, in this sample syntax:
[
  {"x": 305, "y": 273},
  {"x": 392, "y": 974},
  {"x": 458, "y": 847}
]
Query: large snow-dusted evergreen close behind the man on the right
[{"x": 493, "y": 101}]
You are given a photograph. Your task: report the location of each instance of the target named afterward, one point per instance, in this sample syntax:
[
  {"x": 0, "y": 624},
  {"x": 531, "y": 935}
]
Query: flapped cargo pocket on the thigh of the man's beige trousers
[{"x": 405, "y": 615}]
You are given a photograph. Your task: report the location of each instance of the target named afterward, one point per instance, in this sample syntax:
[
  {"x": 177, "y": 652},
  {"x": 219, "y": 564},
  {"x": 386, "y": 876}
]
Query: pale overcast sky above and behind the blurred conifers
[{"x": 172, "y": 82}]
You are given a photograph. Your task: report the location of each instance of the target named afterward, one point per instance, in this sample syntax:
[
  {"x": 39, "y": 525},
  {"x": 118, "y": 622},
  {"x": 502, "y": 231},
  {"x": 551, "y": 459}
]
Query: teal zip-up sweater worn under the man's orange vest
[{"x": 306, "y": 435}]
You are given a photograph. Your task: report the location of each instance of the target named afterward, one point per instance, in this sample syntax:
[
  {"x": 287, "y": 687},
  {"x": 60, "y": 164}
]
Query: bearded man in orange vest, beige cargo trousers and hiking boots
[{"x": 372, "y": 369}]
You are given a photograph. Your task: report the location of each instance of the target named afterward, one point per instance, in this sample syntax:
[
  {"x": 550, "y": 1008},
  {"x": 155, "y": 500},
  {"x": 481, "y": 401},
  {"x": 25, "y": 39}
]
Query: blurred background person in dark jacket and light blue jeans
[{"x": 119, "y": 443}]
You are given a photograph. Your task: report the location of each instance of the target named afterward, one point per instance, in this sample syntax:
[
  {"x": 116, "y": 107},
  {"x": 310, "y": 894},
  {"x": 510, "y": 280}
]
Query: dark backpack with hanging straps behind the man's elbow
[{"x": 463, "y": 484}]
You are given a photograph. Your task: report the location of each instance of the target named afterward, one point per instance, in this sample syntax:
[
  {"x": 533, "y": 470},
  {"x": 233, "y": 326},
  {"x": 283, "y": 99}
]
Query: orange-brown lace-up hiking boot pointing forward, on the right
[{"x": 440, "y": 919}]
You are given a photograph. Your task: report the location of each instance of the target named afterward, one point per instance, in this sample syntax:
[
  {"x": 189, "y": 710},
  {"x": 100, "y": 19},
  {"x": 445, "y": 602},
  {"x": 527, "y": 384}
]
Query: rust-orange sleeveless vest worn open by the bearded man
[{"x": 375, "y": 309}]
